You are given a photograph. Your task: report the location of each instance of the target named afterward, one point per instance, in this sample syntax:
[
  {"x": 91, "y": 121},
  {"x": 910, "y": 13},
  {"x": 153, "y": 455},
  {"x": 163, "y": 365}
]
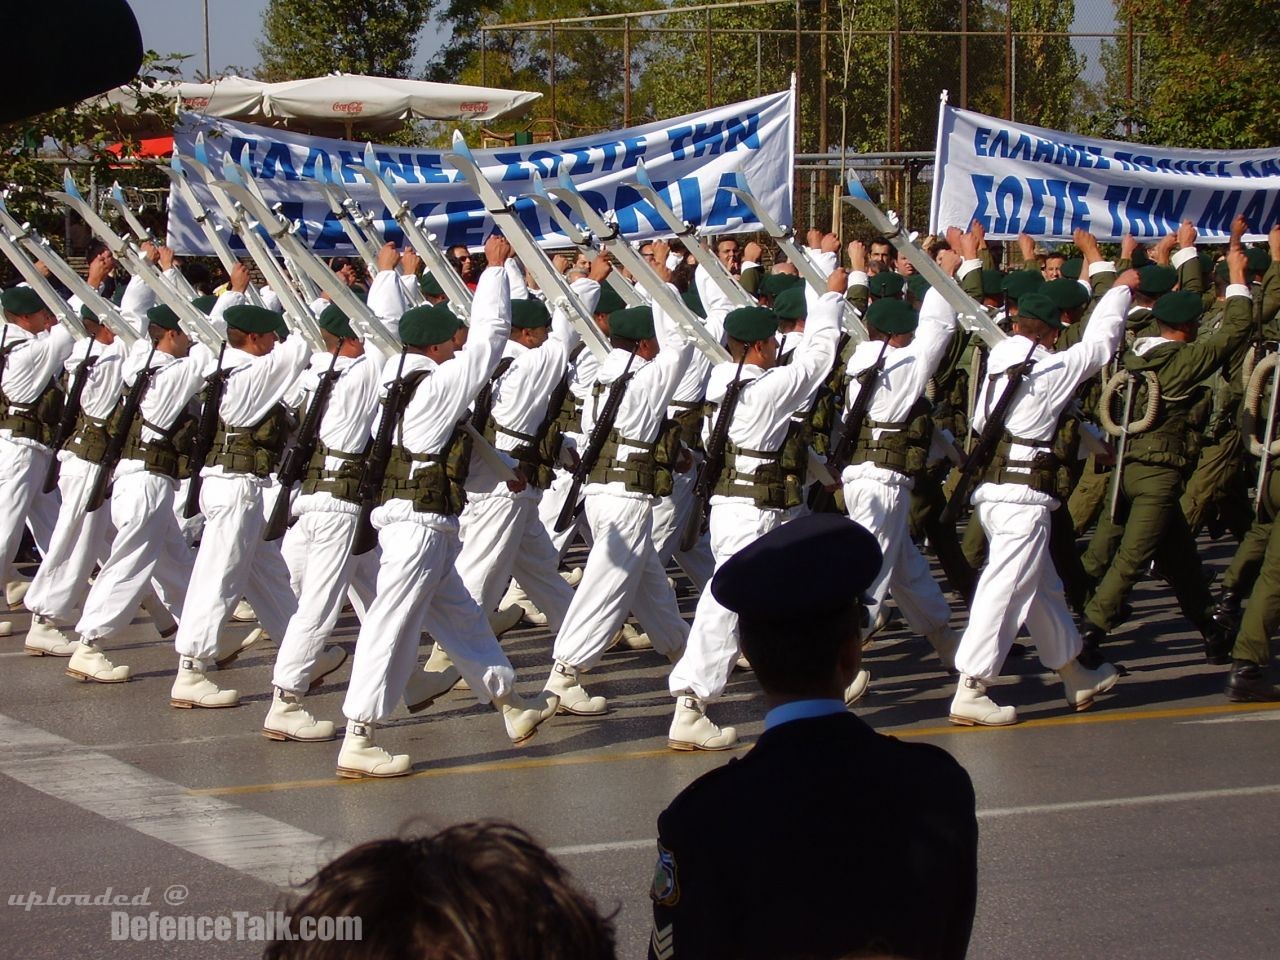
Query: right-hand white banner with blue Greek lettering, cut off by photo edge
[{"x": 1016, "y": 179}]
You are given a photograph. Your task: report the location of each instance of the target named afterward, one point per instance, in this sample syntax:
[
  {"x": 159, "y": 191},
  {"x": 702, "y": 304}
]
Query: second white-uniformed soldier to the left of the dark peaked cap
[{"x": 623, "y": 570}]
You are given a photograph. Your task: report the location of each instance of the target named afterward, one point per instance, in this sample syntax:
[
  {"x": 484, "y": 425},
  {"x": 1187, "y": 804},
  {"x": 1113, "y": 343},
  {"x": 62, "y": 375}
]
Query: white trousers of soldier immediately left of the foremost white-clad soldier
[{"x": 322, "y": 542}]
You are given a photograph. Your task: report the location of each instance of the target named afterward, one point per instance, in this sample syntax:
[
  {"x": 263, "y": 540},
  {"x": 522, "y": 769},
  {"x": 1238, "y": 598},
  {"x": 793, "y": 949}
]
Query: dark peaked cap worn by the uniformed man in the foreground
[{"x": 828, "y": 561}]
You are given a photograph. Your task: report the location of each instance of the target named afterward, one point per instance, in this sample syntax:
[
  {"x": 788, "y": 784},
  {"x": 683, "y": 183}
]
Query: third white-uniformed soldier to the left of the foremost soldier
[{"x": 149, "y": 548}]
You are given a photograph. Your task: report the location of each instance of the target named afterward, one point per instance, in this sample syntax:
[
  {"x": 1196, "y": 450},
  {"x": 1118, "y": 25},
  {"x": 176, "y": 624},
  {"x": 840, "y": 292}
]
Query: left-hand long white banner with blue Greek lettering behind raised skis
[{"x": 688, "y": 161}]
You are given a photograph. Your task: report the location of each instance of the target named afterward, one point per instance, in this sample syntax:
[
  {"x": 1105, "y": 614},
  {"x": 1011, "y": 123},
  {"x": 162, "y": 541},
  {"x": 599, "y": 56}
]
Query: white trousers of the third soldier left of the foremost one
[{"x": 149, "y": 548}]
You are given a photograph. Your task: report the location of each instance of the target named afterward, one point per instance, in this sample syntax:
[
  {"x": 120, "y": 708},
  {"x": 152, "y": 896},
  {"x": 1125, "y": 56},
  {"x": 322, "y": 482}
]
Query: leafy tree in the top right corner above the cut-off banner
[{"x": 1206, "y": 76}]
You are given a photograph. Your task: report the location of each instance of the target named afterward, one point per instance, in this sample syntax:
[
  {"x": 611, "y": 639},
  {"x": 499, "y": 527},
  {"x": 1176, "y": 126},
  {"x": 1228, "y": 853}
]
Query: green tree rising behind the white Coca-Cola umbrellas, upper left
[{"x": 313, "y": 38}]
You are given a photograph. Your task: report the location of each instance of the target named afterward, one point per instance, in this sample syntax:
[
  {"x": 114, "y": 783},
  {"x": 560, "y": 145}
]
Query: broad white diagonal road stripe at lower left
[{"x": 257, "y": 845}]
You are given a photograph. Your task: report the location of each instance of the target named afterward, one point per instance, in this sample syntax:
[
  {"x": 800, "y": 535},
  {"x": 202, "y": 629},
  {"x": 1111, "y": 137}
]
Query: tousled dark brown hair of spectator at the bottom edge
[{"x": 477, "y": 892}]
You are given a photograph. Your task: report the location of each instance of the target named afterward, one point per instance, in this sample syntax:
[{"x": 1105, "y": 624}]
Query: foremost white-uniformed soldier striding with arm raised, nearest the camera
[{"x": 418, "y": 583}]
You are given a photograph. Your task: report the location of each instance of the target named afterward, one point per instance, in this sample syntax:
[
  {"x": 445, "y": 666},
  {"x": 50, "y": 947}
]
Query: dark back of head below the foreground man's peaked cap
[{"x": 799, "y": 659}]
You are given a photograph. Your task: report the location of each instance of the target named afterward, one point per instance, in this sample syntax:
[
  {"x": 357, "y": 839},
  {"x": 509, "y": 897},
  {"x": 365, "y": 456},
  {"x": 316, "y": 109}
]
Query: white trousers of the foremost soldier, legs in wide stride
[{"x": 419, "y": 587}]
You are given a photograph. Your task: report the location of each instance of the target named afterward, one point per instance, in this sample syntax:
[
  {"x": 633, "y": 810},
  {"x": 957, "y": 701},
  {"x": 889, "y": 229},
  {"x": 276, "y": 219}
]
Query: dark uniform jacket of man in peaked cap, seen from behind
[{"x": 825, "y": 840}]
